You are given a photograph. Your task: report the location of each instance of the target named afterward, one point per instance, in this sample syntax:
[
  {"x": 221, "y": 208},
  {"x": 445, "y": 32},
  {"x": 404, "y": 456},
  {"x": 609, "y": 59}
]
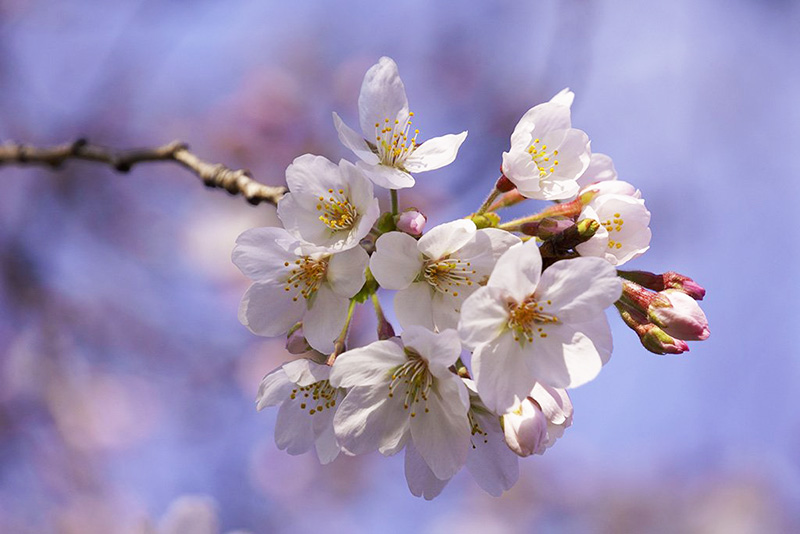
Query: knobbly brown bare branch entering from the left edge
[{"x": 236, "y": 182}]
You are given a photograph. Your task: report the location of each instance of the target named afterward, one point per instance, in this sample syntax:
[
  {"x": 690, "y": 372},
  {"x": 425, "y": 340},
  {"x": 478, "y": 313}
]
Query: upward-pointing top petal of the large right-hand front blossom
[{"x": 517, "y": 272}]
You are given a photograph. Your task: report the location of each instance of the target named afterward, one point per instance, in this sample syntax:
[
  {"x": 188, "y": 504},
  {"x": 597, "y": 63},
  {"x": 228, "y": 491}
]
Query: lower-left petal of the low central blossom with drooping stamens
[{"x": 365, "y": 417}]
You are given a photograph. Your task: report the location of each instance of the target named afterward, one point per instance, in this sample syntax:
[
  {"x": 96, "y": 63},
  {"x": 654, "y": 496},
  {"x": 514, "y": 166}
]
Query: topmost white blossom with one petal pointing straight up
[{"x": 389, "y": 150}]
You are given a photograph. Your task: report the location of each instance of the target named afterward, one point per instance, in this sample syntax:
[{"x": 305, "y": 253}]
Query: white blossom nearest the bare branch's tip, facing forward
[{"x": 327, "y": 205}]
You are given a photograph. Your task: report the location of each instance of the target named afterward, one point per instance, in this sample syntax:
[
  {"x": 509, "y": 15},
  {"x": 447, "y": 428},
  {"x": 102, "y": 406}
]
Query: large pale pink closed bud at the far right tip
[{"x": 683, "y": 318}]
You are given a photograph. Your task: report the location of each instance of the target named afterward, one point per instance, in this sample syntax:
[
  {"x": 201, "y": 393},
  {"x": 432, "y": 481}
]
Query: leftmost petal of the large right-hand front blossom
[{"x": 484, "y": 316}]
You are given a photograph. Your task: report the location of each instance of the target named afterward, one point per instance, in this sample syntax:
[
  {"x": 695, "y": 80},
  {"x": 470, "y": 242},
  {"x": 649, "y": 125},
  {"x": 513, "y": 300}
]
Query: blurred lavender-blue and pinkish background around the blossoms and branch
[{"x": 127, "y": 384}]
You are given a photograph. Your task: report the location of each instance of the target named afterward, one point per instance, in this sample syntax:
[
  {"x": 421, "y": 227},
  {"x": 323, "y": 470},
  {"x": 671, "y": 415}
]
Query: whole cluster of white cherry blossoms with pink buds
[{"x": 498, "y": 320}]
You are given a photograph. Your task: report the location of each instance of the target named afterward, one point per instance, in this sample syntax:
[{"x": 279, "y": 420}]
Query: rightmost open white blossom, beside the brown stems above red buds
[{"x": 624, "y": 232}]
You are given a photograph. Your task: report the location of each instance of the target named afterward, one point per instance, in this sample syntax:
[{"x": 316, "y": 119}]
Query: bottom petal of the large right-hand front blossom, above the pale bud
[{"x": 501, "y": 373}]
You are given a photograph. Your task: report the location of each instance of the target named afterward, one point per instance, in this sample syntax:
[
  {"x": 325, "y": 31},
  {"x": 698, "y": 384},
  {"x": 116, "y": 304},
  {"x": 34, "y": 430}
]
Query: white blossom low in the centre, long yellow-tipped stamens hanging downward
[{"x": 405, "y": 392}]
